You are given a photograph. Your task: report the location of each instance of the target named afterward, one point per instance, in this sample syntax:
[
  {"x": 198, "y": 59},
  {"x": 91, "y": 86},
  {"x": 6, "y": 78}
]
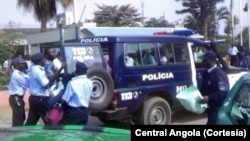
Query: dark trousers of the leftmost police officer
[{"x": 18, "y": 112}]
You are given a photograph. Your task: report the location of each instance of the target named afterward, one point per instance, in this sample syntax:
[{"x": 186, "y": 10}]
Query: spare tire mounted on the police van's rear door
[{"x": 103, "y": 89}]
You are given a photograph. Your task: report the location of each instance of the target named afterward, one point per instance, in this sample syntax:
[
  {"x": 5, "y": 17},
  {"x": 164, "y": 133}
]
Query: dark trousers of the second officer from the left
[{"x": 38, "y": 106}]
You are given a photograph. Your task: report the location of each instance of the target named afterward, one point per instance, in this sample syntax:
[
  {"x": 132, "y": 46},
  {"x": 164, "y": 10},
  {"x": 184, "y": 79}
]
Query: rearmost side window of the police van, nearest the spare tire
[{"x": 139, "y": 54}]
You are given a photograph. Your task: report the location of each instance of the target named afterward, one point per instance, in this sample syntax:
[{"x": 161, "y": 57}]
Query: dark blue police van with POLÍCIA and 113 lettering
[{"x": 136, "y": 78}]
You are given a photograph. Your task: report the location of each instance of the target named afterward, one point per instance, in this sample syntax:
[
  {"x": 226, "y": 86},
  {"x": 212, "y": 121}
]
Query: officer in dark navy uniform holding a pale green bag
[{"x": 215, "y": 86}]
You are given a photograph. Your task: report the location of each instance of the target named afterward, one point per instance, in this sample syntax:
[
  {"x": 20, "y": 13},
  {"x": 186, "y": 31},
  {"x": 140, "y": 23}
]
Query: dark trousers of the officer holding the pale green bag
[{"x": 212, "y": 114}]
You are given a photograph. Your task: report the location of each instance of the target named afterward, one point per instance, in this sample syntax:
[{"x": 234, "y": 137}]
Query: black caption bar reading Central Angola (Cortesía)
[{"x": 163, "y": 132}]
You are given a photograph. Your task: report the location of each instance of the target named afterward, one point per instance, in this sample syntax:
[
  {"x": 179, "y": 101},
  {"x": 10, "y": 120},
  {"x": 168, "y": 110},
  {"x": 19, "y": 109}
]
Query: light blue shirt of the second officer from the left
[{"x": 38, "y": 80}]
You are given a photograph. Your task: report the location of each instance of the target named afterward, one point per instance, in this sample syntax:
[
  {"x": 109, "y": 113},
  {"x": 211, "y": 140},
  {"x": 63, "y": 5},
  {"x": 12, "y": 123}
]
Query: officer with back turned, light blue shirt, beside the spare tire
[{"x": 76, "y": 97}]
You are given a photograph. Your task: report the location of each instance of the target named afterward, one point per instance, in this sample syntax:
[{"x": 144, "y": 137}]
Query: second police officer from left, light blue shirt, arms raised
[{"x": 39, "y": 91}]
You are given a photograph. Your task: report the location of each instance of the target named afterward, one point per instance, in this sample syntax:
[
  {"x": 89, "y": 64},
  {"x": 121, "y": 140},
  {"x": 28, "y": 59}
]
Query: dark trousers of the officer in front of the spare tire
[{"x": 75, "y": 116}]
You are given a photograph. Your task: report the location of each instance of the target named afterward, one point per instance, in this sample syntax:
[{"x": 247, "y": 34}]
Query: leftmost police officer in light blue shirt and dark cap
[{"x": 18, "y": 85}]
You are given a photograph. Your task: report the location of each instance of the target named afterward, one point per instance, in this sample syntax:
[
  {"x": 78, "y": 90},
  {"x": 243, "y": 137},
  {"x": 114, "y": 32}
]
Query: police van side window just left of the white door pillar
[{"x": 175, "y": 52}]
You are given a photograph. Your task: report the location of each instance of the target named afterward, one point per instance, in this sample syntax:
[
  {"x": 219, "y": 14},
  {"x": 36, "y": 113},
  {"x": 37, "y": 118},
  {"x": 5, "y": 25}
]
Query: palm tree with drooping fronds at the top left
[{"x": 43, "y": 9}]
